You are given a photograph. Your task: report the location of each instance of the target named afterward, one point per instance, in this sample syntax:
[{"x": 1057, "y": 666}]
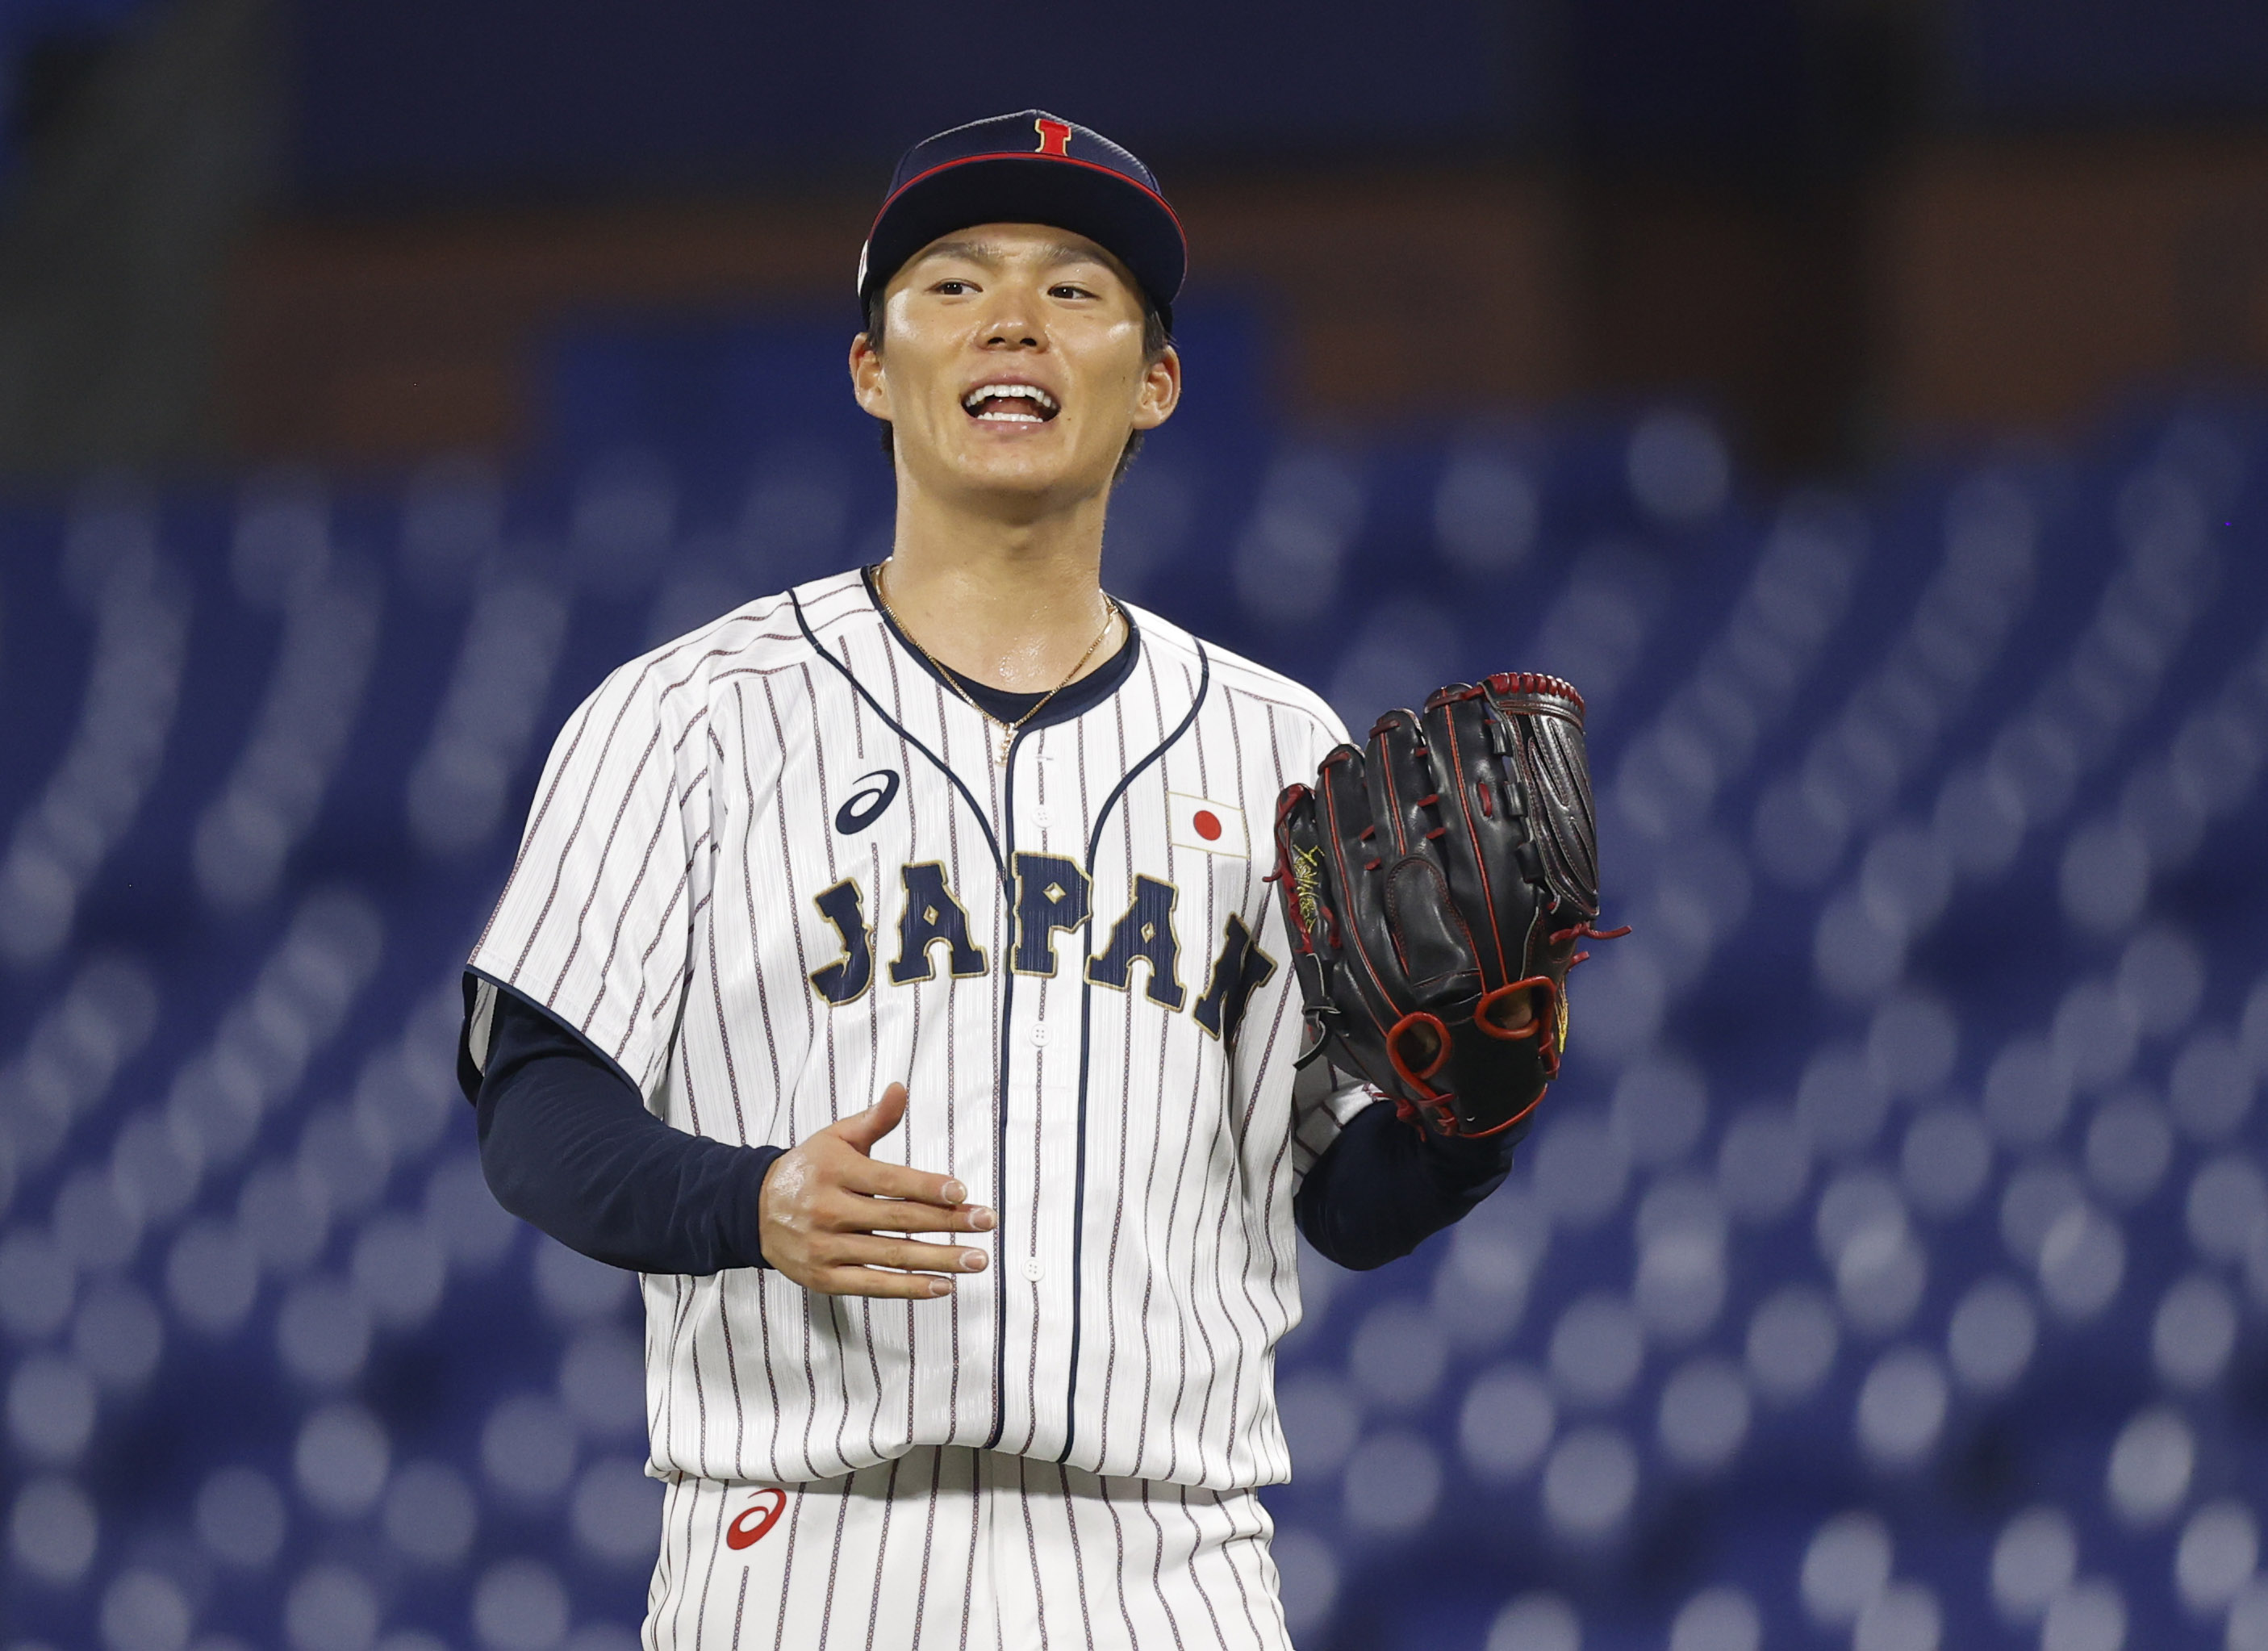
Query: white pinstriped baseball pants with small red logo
[{"x": 951, "y": 1548}]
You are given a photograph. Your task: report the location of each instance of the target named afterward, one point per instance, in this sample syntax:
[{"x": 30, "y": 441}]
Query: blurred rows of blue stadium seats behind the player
[{"x": 1890, "y": 1269}]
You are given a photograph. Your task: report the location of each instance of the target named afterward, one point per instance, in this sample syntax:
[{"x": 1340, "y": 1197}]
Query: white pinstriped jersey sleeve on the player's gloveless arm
[{"x": 595, "y": 922}]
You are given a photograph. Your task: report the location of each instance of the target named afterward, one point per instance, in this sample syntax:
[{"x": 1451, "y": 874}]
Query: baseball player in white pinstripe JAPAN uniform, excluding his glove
[{"x": 892, "y": 976}]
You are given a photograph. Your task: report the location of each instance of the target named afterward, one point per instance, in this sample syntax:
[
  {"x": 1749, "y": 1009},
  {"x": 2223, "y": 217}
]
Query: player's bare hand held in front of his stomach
[{"x": 827, "y": 1203}]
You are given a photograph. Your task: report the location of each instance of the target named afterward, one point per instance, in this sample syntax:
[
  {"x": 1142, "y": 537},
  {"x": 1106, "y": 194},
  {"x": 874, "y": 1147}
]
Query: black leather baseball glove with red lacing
[{"x": 1437, "y": 888}]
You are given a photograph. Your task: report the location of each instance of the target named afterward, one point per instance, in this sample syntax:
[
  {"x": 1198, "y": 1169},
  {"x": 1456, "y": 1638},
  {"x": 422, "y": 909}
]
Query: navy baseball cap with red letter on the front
[{"x": 1029, "y": 169}]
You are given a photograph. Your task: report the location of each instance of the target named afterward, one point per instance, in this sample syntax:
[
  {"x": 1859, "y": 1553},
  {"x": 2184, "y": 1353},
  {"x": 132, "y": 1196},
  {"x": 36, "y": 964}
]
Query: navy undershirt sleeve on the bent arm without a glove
[{"x": 570, "y": 1149}]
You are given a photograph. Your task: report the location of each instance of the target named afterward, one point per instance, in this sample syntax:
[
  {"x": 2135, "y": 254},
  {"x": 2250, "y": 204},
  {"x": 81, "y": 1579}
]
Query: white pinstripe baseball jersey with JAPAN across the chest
[{"x": 777, "y": 865}]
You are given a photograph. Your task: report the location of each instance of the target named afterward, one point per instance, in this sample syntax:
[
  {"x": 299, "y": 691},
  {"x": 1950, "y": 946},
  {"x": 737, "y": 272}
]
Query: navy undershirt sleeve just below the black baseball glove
[{"x": 1382, "y": 1187}]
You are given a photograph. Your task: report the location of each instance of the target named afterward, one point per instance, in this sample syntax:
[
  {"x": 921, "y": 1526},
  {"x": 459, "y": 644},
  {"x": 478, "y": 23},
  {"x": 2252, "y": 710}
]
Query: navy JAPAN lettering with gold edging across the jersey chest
[{"x": 1053, "y": 897}]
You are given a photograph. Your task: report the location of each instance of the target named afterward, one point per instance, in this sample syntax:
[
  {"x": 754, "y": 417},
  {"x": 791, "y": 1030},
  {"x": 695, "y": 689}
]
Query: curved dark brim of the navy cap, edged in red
[{"x": 1090, "y": 201}]
